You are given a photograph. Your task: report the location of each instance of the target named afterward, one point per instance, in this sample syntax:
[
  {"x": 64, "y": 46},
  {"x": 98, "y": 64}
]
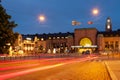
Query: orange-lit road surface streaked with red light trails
[{"x": 86, "y": 68}]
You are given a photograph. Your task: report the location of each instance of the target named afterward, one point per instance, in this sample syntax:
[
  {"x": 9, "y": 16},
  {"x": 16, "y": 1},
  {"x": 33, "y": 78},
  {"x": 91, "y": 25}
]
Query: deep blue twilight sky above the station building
[{"x": 60, "y": 13}]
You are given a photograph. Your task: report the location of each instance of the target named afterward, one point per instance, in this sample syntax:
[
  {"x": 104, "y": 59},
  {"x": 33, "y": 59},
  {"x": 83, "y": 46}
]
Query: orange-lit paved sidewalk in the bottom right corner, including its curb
[{"x": 113, "y": 67}]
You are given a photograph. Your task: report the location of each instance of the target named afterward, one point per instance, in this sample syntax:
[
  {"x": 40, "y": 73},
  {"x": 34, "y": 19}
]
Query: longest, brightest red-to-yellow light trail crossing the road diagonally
[{"x": 10, "y": 75}]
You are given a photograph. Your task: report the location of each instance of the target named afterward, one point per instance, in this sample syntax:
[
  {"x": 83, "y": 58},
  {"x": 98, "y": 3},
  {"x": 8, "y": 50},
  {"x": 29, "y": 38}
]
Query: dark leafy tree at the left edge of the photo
[{"x": 7, "y": 36}]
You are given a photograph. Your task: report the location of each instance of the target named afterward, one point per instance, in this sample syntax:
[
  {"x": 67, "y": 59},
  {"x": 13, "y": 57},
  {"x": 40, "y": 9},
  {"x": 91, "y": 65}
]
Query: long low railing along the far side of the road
[{"x": 29, "y": 57}]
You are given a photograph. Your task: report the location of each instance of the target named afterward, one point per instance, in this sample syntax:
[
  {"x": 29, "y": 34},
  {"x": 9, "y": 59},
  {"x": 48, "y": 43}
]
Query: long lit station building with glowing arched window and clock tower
[{"x": 83, "y": 39}]
